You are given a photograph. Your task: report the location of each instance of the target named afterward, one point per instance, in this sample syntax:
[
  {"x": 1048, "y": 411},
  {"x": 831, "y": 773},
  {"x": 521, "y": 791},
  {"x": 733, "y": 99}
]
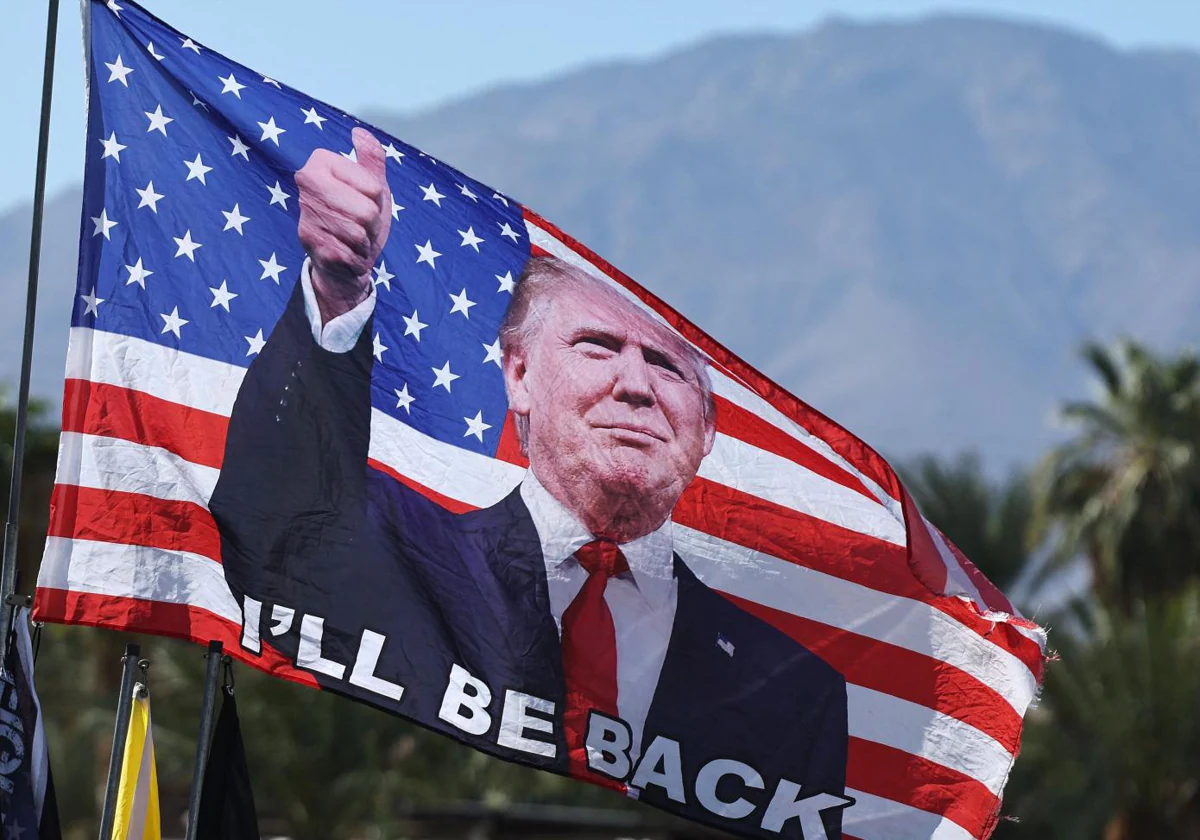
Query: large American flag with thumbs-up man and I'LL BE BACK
[{"x": 387, "y": 433}]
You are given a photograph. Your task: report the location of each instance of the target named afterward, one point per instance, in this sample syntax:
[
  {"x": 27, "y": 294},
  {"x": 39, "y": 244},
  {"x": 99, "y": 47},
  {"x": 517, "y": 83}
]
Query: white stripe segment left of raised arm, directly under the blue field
[{"x": 187, "y": 379}]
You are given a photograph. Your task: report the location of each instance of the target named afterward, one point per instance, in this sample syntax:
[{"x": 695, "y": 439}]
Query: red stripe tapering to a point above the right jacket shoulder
[{"x": 901, "y": 673}]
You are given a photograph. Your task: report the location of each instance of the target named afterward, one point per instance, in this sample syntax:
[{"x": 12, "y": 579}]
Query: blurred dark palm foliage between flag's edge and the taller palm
[{"x": 987, "y": 520}]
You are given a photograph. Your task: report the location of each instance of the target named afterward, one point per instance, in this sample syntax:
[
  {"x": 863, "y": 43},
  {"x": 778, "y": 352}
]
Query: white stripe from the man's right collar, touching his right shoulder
[{"x": 910, "y": 625}]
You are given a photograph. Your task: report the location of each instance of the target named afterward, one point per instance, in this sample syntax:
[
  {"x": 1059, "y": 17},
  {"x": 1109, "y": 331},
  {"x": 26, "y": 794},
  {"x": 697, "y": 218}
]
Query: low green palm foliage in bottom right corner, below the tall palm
[{"x": 1112, "y": 749}]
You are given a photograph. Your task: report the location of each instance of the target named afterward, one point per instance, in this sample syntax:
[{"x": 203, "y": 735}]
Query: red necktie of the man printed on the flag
[{"x": 590, "y": 655}]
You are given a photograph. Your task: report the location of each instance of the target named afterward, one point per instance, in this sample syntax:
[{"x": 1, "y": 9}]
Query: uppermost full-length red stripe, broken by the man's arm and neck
[{"x": 710, "y": 507}]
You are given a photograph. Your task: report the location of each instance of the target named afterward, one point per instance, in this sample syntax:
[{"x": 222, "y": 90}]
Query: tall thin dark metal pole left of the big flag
[{"x": 9, "y": 569}]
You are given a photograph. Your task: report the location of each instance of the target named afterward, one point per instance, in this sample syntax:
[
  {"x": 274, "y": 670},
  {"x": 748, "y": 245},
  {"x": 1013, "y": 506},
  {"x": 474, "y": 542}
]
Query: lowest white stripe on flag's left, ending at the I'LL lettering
[{"x": 137, "y": 572}]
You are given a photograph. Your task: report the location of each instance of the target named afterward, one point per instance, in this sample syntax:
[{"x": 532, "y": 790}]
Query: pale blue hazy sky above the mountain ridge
[{"x": 409, "y": 56}]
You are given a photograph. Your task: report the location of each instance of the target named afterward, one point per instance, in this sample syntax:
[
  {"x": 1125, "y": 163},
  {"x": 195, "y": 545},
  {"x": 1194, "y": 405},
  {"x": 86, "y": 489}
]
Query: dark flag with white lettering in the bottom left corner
[{"x": 28, "y": 808}]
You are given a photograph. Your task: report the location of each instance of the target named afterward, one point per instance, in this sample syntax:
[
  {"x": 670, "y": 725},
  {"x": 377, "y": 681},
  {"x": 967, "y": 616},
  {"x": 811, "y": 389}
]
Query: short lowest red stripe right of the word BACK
[{"x": 903, "y": 777}]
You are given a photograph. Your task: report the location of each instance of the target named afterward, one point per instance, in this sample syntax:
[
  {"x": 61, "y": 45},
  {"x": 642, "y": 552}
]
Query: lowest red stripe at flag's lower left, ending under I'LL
[{"x": 178, "y": 621}]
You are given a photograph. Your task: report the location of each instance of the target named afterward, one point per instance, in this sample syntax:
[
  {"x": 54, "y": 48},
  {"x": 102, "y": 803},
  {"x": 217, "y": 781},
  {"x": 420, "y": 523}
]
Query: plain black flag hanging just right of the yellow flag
[{"x": 227, "y": 802}]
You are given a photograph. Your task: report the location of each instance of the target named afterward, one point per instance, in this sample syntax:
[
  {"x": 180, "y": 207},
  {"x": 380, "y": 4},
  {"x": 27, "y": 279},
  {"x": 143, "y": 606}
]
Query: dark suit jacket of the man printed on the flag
[{"x": 308, "y": 525}]
